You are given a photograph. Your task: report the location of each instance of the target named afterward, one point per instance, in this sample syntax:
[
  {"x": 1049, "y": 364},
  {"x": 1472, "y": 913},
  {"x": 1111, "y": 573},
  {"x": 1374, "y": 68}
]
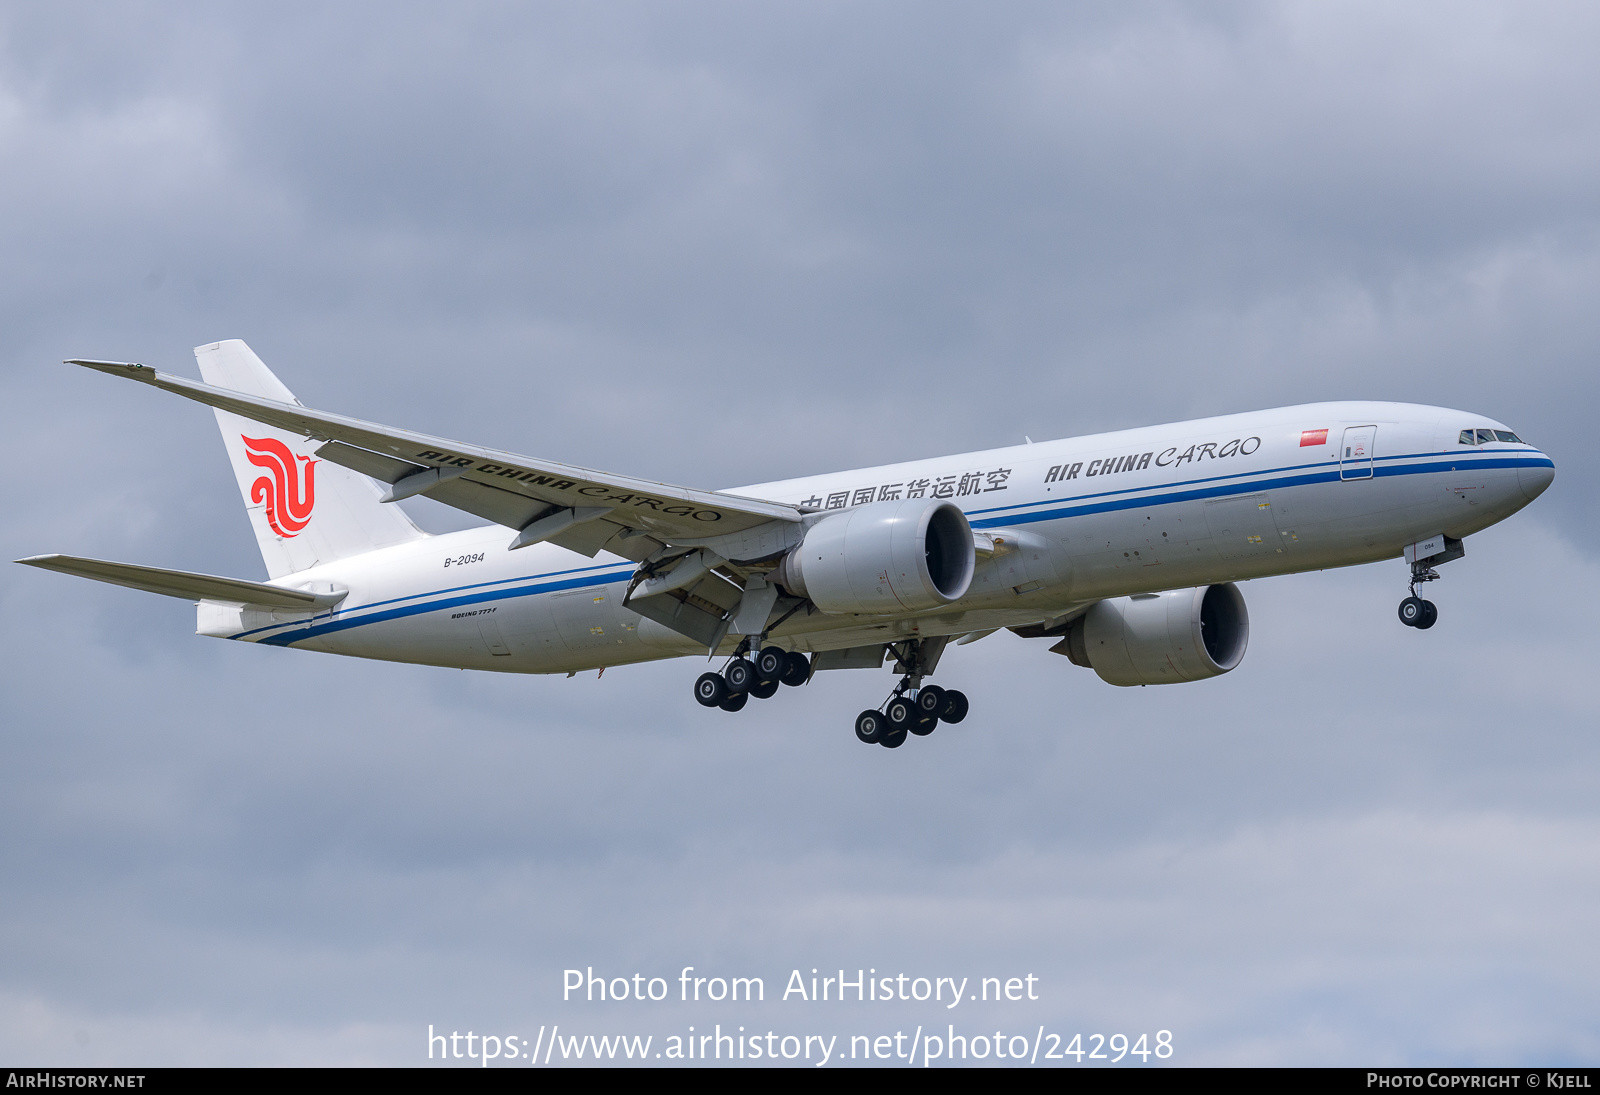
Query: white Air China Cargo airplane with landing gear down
[{"x": 1124, "y": 548}]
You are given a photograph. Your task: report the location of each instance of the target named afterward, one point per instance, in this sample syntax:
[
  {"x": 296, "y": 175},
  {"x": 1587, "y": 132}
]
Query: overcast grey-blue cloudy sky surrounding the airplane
[{"x": 724, "y": 244}]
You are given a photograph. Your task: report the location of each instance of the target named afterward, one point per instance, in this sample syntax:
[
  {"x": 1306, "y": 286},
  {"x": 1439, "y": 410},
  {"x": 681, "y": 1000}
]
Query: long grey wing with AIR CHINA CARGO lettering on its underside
[{"x": 577, "y": 508}]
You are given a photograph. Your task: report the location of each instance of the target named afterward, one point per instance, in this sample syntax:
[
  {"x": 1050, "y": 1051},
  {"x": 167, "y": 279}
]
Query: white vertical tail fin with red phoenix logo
[{"x": 305, "y": 511}]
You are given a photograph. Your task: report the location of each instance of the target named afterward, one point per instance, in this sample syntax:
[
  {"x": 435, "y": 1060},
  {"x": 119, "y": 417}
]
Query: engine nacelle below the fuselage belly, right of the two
[{"x": 1183, "y": 635}]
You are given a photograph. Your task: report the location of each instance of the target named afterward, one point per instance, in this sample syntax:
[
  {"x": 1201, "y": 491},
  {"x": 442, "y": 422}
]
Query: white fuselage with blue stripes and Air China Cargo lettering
[{"x": 1081, "y": 519}]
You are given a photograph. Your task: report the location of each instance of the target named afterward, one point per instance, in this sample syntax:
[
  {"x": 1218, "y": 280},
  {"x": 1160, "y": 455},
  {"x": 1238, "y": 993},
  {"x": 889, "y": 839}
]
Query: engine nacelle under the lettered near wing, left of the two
[{"x": 882, "y": 560}]
